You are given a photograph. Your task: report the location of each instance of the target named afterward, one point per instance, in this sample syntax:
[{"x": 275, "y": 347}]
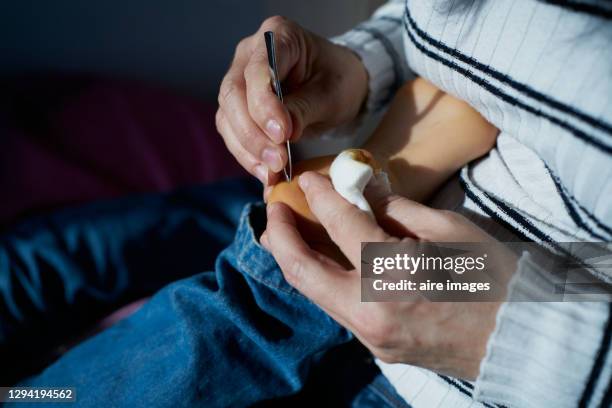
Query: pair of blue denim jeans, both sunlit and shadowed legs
[{"x": 235, "y": 335}]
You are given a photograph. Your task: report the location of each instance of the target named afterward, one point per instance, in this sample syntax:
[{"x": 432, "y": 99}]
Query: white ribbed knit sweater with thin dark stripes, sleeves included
[{"x": 541, "y": 72}]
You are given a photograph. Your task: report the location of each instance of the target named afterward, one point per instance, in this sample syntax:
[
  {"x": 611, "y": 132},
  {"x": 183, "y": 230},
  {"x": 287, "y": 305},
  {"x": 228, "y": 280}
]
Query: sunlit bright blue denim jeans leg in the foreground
[{"x": 229, "y": 337}]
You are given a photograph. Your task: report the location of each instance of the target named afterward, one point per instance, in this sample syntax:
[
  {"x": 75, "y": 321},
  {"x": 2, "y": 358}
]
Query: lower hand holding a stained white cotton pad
[{"x": 447, "y": 337}]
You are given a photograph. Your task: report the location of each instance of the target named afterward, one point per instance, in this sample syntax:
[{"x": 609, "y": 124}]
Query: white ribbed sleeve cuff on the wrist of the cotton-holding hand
[{"x": 546, "y": 354}]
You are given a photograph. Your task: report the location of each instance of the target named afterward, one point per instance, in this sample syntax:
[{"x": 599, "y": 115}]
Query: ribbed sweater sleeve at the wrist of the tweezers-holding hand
[{"x": 378, "y": 42}]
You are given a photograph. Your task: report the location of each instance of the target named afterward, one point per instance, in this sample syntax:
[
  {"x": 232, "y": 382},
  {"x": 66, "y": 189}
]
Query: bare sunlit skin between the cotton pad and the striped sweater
[{"x": 425, "y": 137}]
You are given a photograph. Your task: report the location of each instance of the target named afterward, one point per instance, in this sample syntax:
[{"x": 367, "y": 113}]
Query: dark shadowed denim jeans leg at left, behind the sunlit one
[{"x": 60, "y": 273}]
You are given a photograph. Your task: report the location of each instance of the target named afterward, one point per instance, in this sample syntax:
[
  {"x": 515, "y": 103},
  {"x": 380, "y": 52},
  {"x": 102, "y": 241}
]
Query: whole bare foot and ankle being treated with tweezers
[{"x": 425, "y": 137}]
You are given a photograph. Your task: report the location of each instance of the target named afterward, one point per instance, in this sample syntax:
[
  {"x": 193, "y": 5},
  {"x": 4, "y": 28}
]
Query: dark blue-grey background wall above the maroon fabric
[{"x": 186, "y": 44}]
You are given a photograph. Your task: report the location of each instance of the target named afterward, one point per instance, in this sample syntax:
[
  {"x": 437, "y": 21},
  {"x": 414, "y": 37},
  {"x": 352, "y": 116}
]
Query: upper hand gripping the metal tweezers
[{"x": 325, "y": 85}]
